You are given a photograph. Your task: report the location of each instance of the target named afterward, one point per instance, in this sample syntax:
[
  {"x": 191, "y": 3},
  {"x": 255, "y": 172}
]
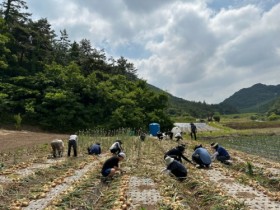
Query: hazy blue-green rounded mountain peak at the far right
[{"x": 257, "y": 98}]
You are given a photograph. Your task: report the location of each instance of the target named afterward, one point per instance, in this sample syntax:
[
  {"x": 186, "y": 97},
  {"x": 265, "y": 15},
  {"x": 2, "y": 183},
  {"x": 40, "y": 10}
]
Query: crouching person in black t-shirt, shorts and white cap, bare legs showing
[{"x": 111, "y": 165}]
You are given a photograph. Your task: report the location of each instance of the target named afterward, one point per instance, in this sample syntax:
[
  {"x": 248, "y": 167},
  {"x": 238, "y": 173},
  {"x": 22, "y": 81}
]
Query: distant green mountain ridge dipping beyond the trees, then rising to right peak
[{"x": 259, "y": 98}]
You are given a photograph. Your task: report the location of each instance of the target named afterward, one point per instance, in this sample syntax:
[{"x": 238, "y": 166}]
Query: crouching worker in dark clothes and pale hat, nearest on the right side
[{"x": 176, "y": 168}]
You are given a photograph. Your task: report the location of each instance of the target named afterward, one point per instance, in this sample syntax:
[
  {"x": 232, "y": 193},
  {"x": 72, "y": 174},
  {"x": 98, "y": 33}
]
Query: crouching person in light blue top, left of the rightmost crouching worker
[{"x": 201, "y": 156}]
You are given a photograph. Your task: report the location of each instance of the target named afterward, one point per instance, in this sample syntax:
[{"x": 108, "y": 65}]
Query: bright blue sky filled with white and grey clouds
[{"x": 198, "y": 50}]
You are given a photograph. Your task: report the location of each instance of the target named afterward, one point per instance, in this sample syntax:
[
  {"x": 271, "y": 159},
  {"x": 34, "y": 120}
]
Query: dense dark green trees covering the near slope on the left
[{"x": 54, "y": 83}]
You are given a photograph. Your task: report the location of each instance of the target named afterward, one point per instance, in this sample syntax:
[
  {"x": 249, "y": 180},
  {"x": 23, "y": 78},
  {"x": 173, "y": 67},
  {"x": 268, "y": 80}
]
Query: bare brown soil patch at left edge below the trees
[{"x": 10, "y": 139}]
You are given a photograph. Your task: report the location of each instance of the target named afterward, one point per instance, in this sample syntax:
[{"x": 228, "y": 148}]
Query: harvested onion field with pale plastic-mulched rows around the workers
[{"x": 31, "y": 180}]
